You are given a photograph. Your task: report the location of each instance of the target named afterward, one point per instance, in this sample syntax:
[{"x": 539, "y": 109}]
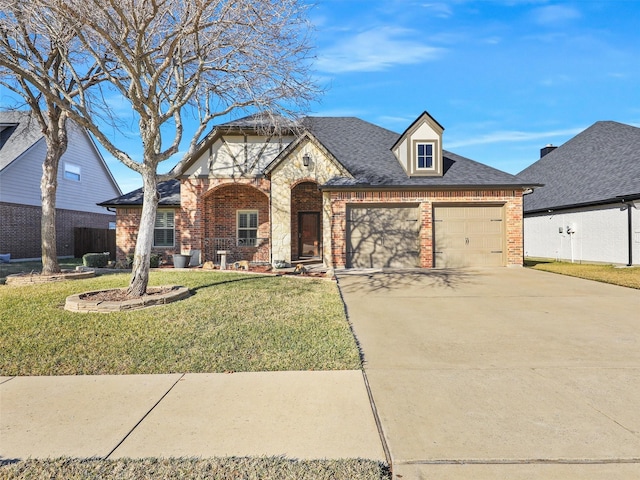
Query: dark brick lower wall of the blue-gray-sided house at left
[{"x": 20, "y": 229}]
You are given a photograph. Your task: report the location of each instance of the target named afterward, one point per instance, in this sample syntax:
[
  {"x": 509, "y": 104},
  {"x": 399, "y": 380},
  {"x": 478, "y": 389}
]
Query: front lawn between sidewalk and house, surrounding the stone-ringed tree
[{"x": 232, "y": 322}]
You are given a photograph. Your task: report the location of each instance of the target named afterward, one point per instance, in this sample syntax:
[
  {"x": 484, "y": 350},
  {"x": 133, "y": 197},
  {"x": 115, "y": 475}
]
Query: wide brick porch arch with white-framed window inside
[{"x": 237, "y": 221}]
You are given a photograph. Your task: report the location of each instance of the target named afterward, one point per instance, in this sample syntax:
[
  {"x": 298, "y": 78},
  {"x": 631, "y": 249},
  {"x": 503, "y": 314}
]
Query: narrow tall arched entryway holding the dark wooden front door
[{"x": 306, "y": 221}]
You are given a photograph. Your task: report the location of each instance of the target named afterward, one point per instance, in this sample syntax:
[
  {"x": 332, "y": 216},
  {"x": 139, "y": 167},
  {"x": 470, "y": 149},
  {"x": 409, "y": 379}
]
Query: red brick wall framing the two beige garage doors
[{"x": 511, "y": 199}]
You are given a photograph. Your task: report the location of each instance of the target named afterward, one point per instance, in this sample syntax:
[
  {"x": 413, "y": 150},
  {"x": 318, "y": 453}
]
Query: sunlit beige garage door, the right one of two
[{"x": 469, "y": 236}]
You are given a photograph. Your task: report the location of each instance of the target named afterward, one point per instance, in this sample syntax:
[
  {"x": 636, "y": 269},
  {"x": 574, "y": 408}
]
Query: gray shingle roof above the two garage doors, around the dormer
[{"x": 365, "y": 151}]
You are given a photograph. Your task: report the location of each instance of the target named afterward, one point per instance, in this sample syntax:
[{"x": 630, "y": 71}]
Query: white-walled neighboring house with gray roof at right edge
[{"x": 589, "y": 208}]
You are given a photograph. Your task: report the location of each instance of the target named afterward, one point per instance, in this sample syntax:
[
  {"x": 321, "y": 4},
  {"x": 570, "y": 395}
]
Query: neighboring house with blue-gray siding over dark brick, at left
[{"x": 83, "y": 180}]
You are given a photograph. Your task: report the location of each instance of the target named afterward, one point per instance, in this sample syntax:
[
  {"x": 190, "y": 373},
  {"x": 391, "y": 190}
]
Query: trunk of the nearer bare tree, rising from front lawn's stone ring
[{"x": 142, "y": 256}]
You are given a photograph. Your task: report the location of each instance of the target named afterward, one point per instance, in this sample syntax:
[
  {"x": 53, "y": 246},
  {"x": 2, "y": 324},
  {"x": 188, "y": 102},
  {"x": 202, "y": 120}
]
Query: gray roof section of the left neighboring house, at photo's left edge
[{"x": 25, "y": 135}]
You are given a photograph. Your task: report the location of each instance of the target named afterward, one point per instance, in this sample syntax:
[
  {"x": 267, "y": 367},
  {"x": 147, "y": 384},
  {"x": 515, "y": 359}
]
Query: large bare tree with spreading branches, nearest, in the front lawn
[{"x": 172, "y": 60}]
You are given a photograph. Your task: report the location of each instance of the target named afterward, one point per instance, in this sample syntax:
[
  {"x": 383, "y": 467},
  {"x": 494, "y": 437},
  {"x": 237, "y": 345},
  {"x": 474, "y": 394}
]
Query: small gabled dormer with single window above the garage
[{"x": 419, "y": 148}]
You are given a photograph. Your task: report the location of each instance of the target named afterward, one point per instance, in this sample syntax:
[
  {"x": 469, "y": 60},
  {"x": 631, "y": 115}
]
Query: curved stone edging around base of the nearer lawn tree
[{"x": 75, "y": 303}]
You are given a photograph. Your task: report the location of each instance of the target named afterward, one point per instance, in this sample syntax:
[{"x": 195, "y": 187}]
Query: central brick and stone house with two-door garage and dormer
[{"x": 340, "y": 190}]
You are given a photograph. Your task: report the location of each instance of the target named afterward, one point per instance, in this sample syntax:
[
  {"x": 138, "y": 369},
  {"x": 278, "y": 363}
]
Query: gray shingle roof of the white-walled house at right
[{"x": 598, "y": 165}]
